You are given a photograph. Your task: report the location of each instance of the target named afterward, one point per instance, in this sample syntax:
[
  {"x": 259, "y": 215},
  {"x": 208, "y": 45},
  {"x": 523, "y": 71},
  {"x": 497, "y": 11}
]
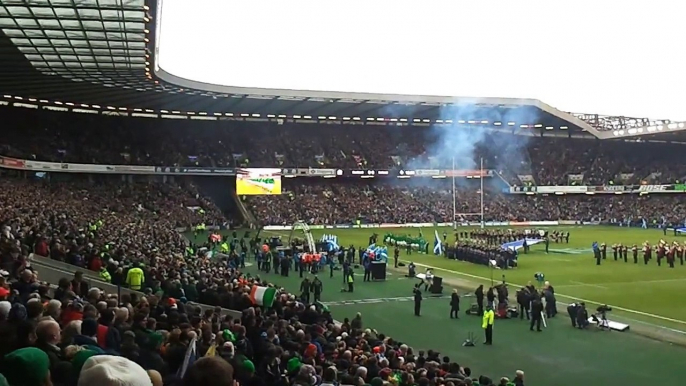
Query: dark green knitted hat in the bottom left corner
[{"x": 26, "y": 367}]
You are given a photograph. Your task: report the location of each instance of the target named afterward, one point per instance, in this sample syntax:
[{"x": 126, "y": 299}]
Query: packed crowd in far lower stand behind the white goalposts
[{"x": 346, "y": 202}]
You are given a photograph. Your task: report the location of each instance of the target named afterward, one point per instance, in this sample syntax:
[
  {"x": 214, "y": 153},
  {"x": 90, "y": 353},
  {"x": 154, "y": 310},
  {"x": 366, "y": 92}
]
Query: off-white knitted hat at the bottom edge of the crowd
[{"x": 109, "y": 370}]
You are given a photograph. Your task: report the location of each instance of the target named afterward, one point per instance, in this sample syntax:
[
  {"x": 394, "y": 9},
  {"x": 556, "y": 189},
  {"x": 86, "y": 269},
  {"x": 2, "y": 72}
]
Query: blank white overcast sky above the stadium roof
[{"x": 603, "y": 56}]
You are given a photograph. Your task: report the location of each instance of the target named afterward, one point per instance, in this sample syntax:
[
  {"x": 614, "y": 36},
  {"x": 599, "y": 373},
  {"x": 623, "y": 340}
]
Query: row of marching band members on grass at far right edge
[{"x": 663, "y": 251}]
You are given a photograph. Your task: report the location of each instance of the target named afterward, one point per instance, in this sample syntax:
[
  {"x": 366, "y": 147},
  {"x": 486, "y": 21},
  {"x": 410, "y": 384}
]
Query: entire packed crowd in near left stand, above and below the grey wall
[{"x": 77, "y": 335}]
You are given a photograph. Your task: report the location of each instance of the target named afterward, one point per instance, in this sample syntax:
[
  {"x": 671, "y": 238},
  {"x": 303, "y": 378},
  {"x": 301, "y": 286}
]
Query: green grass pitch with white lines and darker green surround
[{"x": 649, "y": 298}]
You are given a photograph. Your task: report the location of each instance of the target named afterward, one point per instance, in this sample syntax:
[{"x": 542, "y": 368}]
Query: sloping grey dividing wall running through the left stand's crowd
[{"x": 51, "y": 271}]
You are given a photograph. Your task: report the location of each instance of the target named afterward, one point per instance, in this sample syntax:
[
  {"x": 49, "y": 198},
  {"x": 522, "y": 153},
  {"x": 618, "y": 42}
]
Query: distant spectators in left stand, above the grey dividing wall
[{"x": 102, "y": 222}]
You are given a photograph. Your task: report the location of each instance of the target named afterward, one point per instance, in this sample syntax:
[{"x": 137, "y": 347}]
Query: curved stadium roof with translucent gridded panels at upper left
[{"x": 96, "y": 55}]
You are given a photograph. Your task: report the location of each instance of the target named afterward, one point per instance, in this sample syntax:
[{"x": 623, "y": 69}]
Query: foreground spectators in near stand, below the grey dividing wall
[{"x": 82, "y": 336}]
